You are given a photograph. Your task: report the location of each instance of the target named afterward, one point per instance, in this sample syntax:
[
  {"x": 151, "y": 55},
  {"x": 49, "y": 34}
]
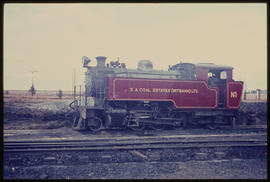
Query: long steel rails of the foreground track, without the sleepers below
[{"x": 138, "y": 142}]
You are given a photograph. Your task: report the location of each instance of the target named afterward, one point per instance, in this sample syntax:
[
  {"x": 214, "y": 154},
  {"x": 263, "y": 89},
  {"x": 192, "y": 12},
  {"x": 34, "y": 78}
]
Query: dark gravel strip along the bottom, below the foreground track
[{"x": 215, "y": 169}]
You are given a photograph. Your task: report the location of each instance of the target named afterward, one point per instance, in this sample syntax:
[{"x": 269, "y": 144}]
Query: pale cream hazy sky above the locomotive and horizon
[{"x": 53, "y": 38}]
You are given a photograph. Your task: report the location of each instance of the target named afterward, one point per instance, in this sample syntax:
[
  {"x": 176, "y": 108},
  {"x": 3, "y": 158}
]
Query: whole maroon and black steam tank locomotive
[{"x": 186, "y": 94}]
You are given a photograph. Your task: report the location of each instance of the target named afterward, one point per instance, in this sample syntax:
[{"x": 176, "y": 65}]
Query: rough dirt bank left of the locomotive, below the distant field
[{"x": 45, "y": 115}]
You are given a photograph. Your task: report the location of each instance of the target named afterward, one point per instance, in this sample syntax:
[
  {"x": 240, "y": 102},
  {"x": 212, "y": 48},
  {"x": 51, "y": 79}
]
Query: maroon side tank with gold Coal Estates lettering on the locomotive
[{"x": 182, "y": 93}]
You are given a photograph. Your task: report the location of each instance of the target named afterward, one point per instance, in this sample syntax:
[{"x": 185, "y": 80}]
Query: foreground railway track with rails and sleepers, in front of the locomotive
[{"x": 130, "y": 149}]
